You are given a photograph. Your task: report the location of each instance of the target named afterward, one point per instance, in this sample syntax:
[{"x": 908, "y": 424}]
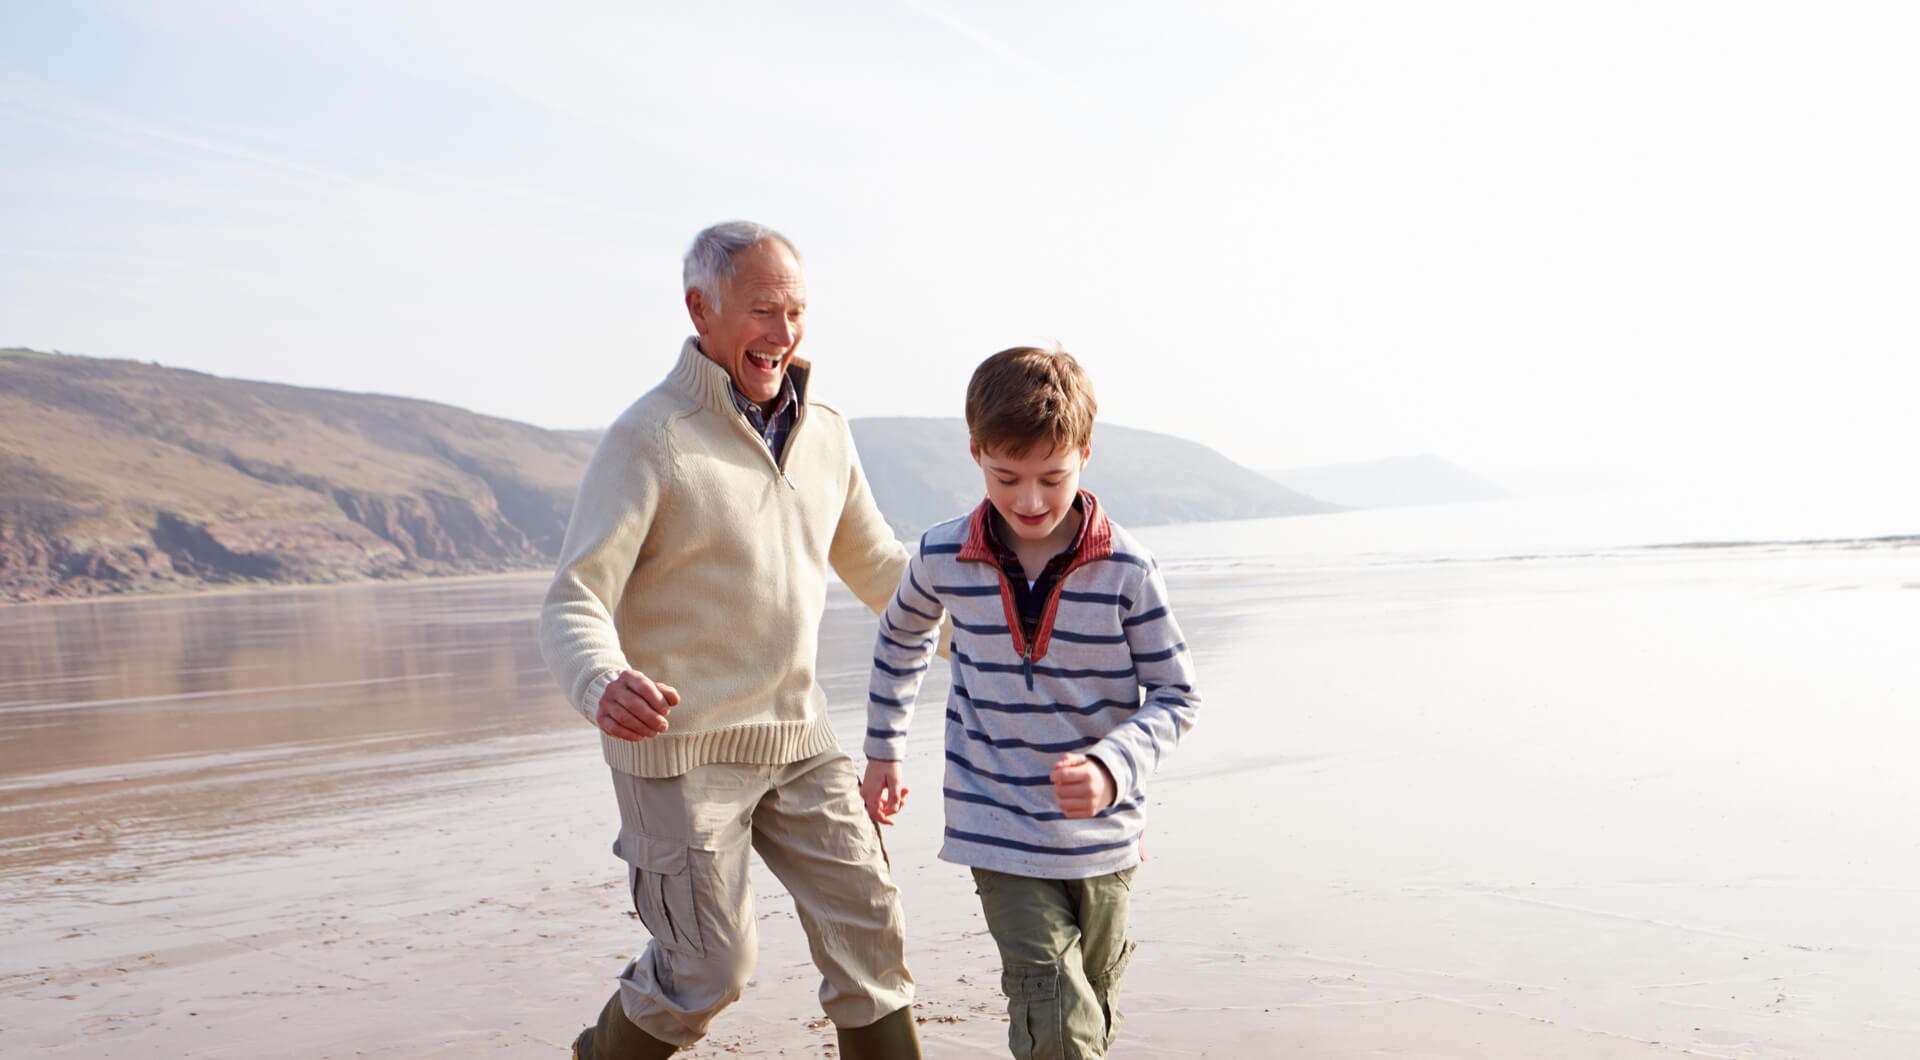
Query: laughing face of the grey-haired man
[{"x": 759, "y": 322}]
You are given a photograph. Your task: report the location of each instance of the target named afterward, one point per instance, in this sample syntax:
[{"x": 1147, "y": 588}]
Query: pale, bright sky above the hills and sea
[{"x": 1533, "y": 237}]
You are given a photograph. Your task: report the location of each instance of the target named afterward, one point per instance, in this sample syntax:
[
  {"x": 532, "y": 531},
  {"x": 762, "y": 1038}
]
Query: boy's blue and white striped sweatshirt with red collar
[{"x": 1107, "y": 677}]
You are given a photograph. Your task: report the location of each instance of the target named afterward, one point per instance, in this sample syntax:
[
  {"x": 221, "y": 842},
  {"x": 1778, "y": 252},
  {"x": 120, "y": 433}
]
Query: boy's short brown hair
[{"x": 1026, "y": 397}]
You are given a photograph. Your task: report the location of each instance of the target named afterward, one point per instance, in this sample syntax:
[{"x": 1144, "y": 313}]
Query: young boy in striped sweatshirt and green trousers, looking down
[{"x": 1070, "y": 683}]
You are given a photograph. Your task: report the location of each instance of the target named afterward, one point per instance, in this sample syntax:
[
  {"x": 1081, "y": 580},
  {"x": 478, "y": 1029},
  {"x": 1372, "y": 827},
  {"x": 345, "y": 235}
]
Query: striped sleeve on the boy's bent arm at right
[{"x": 1166, "y": 675}]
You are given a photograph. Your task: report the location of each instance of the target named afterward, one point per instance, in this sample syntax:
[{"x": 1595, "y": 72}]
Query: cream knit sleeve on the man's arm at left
[{"x": 613, "y": 512}]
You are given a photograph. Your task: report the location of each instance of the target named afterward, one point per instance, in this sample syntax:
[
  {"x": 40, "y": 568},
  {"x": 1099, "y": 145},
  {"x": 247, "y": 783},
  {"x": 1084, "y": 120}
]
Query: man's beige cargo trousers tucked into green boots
[{"x": 686, "y": 842}]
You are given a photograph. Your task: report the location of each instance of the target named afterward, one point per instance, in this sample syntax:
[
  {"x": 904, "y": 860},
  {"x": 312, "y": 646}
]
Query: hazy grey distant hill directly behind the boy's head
[{"x": 923, "y": 473}]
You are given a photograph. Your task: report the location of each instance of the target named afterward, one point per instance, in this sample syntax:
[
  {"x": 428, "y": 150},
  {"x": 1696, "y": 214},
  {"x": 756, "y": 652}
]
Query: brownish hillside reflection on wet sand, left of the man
[{"x": 145, "y": 731}]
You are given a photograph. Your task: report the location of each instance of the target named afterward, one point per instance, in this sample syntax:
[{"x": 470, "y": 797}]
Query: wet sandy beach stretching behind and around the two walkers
[{"x": 1639, "y": 804}]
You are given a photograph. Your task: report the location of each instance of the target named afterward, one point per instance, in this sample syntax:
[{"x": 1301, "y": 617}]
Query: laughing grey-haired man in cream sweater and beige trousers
[{"x": 684, "y": 623}]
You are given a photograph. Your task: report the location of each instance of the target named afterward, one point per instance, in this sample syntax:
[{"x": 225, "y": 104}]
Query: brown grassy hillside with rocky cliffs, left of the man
[{"x": 124, "y": 477}]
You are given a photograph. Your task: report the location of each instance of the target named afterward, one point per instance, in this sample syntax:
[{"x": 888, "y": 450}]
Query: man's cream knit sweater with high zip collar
[{"x": 698, "y": 562}]
